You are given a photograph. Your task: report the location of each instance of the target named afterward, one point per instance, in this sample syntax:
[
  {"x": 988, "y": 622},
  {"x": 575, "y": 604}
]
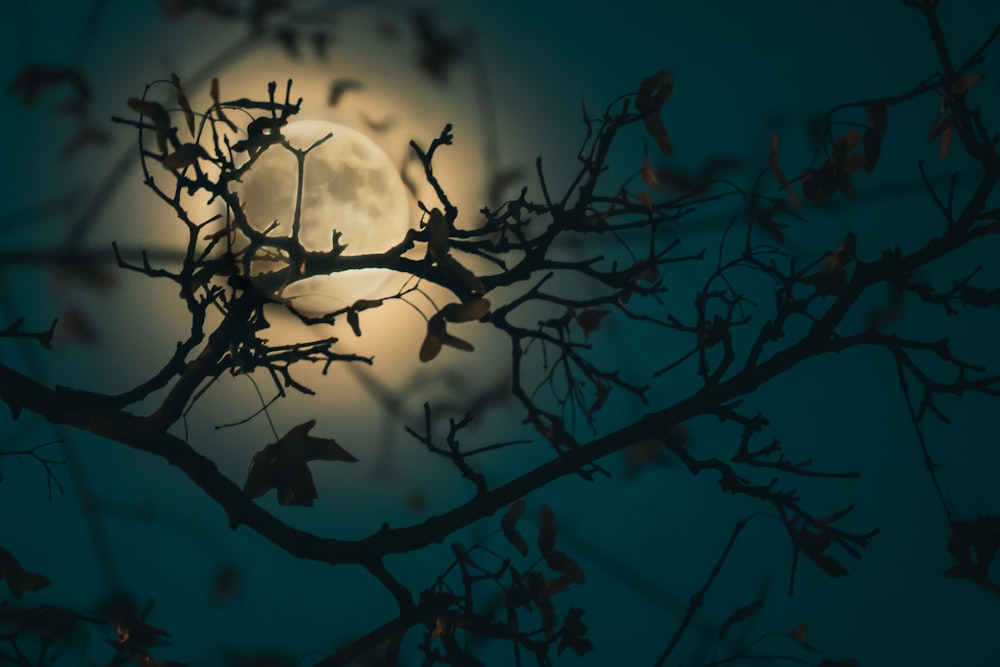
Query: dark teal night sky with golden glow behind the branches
[{"x": 646, "y": 539}]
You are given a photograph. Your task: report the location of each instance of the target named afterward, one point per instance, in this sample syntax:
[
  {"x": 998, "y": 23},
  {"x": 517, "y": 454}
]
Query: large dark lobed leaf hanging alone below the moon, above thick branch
[{"x": 282, "y": 465}]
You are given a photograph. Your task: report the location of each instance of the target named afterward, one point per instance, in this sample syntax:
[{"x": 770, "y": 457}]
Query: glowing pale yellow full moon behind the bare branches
[{"x": 349, "y": 185}]
